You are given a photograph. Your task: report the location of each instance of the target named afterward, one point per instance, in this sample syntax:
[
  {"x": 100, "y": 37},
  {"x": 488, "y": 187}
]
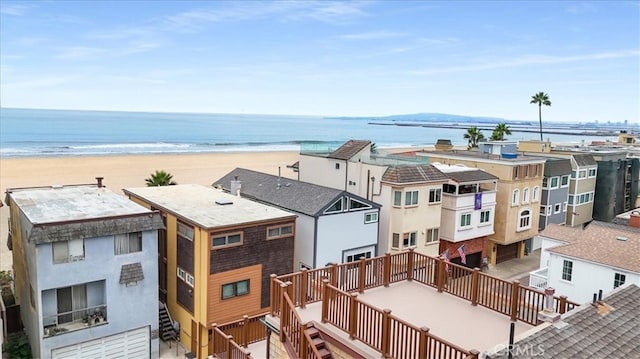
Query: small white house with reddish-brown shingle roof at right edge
[{"x": 579, "y": 261}]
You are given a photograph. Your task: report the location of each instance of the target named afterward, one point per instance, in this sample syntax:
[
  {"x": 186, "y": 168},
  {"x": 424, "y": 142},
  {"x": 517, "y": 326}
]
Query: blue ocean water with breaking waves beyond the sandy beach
[{"x": 42, "y": 133}]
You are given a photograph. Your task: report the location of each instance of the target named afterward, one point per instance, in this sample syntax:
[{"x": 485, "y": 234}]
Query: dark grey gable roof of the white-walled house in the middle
[{"x": 297, "y": 196}]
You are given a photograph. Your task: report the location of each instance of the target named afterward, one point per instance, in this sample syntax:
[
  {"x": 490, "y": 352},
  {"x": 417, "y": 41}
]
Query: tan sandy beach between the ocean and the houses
[{"x": 128, "y": 171}]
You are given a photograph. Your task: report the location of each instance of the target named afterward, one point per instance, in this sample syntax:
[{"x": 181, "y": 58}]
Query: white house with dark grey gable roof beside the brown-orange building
[{"x": 333, "y": 226}]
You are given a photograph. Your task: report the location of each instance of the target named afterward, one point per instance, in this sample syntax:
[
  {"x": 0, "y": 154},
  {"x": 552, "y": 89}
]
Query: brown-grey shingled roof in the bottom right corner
[{"x": 611, "y": 330}]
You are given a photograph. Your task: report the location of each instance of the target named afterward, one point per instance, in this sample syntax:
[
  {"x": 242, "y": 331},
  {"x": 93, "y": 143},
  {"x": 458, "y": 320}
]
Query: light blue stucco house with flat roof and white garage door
[{"x": 83, "y": 257}]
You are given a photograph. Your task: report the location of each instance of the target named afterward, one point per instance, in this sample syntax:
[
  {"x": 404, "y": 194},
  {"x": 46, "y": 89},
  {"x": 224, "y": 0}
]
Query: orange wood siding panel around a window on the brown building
[{"x": 221, "y": 311}]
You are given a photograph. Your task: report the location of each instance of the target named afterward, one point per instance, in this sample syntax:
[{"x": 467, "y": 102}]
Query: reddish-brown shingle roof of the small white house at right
[{"x": 599, "y": 242}]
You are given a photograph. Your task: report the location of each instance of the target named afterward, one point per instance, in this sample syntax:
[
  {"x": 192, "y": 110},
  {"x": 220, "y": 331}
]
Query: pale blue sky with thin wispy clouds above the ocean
[{"x": 325, "y": 58}]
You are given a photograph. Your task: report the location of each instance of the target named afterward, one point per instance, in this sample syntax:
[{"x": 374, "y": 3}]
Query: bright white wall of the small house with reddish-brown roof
[{"x": 587, "y": 278}]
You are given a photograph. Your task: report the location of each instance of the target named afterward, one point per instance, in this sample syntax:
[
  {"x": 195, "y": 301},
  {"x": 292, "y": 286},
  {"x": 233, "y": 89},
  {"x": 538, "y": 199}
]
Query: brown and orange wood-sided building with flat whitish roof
[{"x": 218, "y": 253}]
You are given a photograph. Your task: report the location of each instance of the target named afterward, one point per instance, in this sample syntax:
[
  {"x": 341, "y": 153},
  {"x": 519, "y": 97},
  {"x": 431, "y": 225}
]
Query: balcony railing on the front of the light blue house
[{"x": 74, "y": 320}]
